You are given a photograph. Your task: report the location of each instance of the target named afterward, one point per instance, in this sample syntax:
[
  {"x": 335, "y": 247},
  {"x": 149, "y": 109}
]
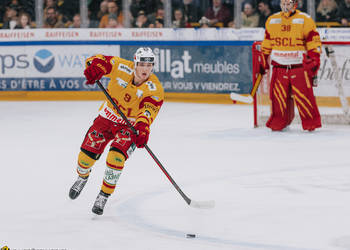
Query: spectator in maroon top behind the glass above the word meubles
[{"x": 218, "y": 14}]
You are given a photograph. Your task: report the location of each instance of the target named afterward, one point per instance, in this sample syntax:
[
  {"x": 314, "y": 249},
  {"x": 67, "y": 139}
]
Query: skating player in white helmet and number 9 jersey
[{"x": 139, "y": 95}]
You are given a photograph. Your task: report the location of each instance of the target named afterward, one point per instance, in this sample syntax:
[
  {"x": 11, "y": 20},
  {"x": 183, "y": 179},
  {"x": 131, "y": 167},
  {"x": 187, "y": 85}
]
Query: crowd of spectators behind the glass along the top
[{"x": 20, "y": 14}]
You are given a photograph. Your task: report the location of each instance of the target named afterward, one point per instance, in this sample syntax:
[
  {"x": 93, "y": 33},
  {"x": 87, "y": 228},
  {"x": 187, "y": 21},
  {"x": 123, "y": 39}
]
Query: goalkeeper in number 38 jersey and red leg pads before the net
[{"x": 294, "y": 47}]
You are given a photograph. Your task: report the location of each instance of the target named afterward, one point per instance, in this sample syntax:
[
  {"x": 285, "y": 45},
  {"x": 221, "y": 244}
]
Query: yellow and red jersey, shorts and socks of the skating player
[{"x": 140, "y": 104}]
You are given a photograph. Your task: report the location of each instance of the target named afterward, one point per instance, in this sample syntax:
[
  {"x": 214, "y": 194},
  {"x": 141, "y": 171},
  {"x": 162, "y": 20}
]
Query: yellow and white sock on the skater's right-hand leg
[{"x": 115, "y": 165}]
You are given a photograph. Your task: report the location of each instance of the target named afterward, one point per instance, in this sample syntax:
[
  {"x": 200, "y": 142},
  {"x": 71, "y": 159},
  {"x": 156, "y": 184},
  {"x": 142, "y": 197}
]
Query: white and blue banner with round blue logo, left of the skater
[{"x": 48, "y": 68}]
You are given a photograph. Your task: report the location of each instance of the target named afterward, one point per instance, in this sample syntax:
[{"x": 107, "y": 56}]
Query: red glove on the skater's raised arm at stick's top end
[{"x": 96, "y": 70}]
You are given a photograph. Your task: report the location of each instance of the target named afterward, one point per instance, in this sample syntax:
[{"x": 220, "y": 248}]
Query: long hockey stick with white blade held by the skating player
[{"x": 192, "y": 203}]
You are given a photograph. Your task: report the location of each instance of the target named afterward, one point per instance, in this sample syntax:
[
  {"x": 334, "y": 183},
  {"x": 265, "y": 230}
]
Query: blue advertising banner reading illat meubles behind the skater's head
[{"x": 201, "y": 69}]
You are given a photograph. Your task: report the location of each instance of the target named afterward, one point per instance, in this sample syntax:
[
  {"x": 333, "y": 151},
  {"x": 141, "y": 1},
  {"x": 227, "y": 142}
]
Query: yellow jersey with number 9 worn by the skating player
[{"x": 139, "y": 103}]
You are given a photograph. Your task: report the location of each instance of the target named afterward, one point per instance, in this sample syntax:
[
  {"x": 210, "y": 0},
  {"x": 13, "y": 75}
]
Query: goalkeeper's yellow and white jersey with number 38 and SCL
[{"x": 288, "y": 37}]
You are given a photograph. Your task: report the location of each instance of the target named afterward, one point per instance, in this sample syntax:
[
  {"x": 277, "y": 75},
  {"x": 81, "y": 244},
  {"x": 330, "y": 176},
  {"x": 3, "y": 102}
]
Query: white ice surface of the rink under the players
[{"x": 273, "y": 191}]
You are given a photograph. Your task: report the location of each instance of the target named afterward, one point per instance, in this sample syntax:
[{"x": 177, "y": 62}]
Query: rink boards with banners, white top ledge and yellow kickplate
[{"x": 49, "y": 65}]
